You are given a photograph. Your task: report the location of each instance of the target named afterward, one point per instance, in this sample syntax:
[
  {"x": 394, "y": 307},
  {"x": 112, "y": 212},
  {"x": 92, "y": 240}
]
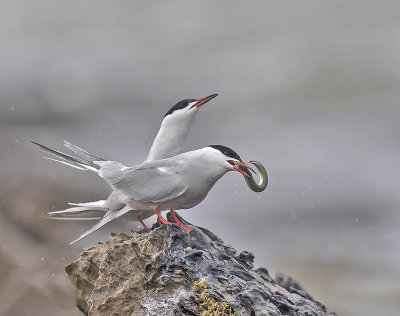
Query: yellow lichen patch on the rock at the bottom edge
[{"x": 213, "y": 308}]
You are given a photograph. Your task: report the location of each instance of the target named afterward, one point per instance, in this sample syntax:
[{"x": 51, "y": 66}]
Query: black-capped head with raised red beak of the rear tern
[{"x": 187, "y": 108}]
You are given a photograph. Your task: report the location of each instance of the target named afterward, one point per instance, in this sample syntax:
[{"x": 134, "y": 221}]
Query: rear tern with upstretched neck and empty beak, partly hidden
[{"x": 168, "y": 142}]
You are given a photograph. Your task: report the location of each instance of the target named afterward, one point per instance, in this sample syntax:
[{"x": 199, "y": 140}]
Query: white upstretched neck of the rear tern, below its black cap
[{"x": 170, "y": 138}]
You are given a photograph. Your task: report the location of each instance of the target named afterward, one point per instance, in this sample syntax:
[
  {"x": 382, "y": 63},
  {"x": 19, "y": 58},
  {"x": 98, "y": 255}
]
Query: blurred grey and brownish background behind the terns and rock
[{"x": 311, "y": 89}]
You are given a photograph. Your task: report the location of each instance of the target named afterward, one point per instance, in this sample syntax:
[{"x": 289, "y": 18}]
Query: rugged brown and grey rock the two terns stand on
[{"x": 167, "y": 272}]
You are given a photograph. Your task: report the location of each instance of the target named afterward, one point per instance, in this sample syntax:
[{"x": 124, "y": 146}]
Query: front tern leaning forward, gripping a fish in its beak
[{"x": 179, "y": 182}]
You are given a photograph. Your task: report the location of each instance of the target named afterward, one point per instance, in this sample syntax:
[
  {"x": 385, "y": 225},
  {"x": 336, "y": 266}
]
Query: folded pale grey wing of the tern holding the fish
[{"x": 153, "y": 184}]
